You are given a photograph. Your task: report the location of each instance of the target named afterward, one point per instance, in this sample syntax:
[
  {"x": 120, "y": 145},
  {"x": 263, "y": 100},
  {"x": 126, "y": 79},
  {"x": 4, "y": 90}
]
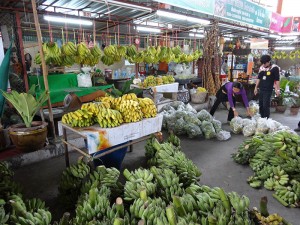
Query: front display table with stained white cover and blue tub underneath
[{"x": 102, "y": 142}]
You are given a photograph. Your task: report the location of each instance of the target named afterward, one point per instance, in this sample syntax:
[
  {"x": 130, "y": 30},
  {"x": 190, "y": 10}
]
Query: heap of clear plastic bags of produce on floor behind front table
[{"x": 183, "y": 119}]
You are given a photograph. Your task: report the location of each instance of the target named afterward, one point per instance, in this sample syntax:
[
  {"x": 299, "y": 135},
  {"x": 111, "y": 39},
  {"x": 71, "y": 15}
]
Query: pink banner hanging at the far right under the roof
[{"x": 281, "y": 24}]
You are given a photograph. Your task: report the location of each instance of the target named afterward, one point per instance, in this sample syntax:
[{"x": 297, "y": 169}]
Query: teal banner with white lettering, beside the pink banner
[{"x": 243, "y": 11}]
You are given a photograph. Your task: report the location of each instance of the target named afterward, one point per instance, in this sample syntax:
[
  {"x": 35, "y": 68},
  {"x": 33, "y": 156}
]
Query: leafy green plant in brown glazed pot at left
[{"x": 30, "y": 135}]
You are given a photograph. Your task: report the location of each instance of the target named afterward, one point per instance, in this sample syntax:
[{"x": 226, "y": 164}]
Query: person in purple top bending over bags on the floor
[{"x": 227, "y": 94}]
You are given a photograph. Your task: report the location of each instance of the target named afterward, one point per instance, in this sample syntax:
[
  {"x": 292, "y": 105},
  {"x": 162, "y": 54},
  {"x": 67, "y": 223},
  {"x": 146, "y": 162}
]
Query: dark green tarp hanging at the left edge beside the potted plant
[{"x": 4, "y": 73}]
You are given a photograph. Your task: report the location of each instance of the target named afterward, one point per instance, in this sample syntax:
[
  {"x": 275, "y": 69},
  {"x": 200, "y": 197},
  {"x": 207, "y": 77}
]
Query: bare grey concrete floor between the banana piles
[{"x": 211, "y": 156}]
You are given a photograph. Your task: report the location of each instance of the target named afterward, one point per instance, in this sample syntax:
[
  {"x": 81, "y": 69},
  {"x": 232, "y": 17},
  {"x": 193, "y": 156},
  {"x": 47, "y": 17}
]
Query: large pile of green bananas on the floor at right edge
[{"x": 275, "y": 160}]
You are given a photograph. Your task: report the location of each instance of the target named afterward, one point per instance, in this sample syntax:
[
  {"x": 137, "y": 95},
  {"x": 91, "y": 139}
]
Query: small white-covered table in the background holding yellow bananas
[{"x": 165, "y": 88}]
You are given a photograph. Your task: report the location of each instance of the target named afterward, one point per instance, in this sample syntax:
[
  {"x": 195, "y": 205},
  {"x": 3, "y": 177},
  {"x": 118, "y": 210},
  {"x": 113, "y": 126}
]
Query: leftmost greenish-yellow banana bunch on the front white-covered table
[{"x": 78, "y": 118}]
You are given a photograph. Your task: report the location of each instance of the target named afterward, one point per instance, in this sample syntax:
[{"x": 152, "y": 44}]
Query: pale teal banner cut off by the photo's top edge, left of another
[{"x": 203, "y": 6}]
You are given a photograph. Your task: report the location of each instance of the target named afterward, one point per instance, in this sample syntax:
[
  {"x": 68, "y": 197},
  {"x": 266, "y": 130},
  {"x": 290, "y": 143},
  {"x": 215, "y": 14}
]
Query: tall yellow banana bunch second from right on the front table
[{"x": 131, "y": 111}]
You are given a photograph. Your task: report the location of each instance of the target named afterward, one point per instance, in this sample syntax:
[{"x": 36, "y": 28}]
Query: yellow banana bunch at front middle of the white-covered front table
[{"x": 108, "y": 118}]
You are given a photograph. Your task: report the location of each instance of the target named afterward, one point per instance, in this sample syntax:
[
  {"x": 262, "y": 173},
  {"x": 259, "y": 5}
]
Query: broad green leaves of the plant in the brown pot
[{"x": 25, "y": 103}]
